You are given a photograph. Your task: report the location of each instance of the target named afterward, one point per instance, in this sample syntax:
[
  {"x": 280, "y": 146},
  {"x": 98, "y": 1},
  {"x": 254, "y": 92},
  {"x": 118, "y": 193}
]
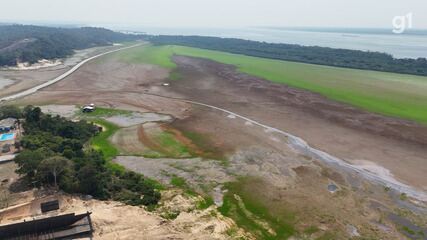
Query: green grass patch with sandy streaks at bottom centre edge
[{"x": 245, "y": 204}]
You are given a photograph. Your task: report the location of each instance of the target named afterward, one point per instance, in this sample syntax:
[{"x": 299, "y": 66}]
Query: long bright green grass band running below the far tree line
[{"x": 390, "y": 94}]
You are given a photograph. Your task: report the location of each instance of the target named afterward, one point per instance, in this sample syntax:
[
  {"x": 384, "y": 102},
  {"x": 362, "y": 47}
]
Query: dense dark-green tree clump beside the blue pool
[{"x": 56, "y": 154}]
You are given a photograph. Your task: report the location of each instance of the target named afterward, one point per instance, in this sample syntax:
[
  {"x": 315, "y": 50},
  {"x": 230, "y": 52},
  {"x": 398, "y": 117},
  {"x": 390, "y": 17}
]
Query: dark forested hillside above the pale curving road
[{"x": 31, "y": 43}]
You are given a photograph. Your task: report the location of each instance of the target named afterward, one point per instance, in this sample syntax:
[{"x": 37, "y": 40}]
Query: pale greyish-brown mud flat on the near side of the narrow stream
[{"x": 285, "y": 177}]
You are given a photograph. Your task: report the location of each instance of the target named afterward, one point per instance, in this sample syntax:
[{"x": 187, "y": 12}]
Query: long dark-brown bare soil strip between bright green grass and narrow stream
[{"x": 338, "y": 129}]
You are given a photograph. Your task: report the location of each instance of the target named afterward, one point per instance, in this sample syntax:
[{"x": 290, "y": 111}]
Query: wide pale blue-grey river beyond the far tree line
[{"x": 400, "y": 46}]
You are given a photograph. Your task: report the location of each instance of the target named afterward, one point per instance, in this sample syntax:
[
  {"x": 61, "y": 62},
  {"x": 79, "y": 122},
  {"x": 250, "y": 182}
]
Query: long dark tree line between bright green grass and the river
[{"x": 305, "y": 54}]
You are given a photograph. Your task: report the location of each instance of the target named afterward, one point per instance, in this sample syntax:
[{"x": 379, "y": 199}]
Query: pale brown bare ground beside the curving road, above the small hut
[{"x": 106, "y": 82}]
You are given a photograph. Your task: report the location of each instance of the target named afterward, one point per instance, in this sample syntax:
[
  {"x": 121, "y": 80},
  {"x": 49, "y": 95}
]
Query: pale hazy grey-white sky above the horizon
[{"x": 216, "y": 13}]
